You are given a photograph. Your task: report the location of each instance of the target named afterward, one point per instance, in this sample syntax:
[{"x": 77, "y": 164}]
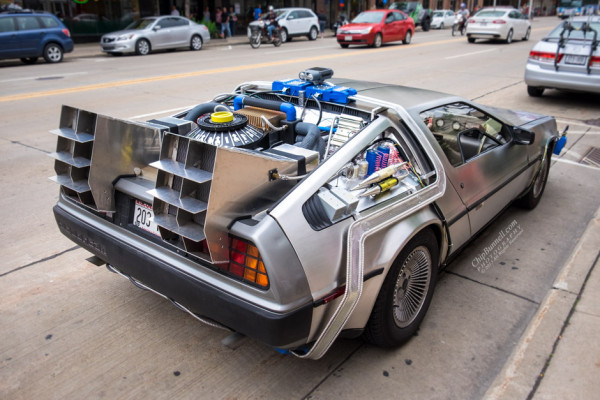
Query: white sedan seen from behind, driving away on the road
[{"x": 500, "y": 23}]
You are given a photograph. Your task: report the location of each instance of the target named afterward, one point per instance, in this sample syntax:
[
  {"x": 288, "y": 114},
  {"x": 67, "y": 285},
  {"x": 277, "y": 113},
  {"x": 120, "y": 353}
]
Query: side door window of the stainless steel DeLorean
[{"x": 464, "y": 132}]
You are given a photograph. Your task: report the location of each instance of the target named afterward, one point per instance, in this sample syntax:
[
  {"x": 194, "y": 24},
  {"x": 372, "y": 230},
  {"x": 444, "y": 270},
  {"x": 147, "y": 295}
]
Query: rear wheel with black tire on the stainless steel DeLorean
[{"x": 405, "y": 294}]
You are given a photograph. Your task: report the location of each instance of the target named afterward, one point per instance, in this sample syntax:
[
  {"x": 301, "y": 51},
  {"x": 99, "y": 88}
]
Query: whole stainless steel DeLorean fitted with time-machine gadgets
[{"x": 267, "y": 234}]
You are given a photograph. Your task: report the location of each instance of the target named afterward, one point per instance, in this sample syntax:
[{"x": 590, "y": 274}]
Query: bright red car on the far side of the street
[{"x": 375, "y": 27}]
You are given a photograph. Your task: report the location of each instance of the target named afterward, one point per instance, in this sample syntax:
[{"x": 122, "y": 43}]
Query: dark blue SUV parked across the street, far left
[{"x": 29, "y": 35}]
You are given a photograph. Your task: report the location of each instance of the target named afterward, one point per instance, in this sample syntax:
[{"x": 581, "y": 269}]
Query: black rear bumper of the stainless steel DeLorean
[{"x": 273, "y": 328}]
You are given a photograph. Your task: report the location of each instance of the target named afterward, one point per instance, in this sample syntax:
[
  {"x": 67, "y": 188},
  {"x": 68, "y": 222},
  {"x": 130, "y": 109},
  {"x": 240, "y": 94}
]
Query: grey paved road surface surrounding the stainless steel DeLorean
[{"x": 70, "y": 329}]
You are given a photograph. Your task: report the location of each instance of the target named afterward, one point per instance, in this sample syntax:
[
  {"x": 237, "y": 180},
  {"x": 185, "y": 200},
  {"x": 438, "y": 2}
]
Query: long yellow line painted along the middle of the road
[{"x": 214, "y": 71}]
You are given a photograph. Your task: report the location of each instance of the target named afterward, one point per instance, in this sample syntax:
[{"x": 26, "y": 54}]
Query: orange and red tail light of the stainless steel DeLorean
[{"x": 246, "y": 262}]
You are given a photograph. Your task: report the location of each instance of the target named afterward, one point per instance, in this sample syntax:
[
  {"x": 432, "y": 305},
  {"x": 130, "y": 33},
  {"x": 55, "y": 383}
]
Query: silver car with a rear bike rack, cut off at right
[{"x": 567, "y": 58}]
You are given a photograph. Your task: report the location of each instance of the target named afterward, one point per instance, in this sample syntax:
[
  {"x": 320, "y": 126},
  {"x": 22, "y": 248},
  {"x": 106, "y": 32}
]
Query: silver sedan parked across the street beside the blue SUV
[{"x": 156, "y": 33}]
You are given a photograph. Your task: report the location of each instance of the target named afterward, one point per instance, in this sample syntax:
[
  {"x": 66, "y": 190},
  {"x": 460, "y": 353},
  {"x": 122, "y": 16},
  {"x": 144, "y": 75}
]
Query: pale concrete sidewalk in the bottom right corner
[{"x": 558, "y": 356}]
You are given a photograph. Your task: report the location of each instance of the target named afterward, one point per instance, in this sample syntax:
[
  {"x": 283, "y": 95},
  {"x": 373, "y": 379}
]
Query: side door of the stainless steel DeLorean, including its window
[{"x": 486, "y": 167}]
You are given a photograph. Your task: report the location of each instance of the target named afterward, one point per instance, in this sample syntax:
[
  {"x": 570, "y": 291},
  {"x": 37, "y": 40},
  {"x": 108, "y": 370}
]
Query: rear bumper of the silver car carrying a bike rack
[{"x": 537, "y": 76}]
